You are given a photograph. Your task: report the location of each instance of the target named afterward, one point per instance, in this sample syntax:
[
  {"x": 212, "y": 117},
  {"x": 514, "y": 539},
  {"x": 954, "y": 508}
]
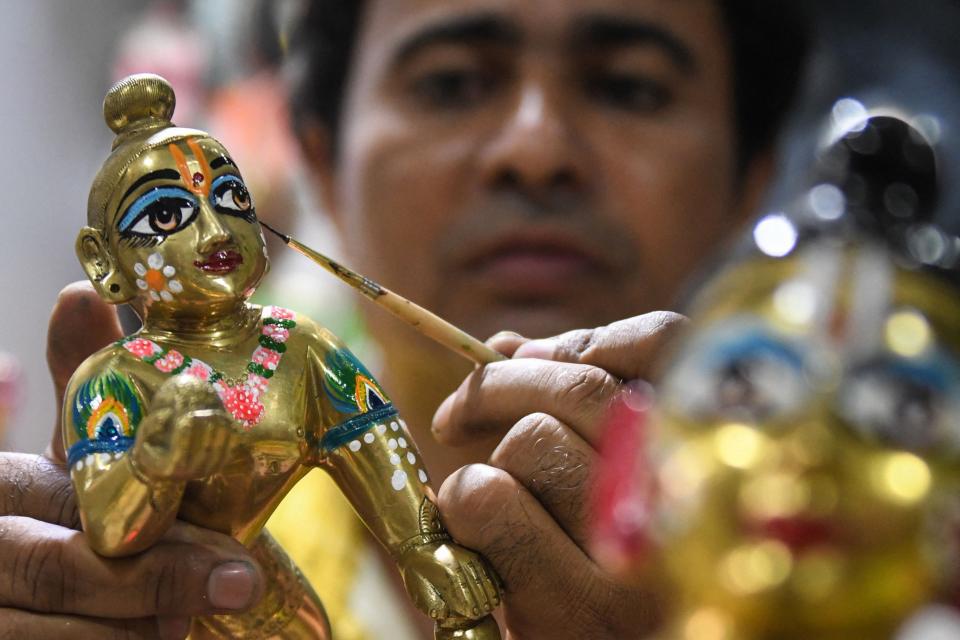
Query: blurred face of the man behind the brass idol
[{"x": 537, "y": 165}]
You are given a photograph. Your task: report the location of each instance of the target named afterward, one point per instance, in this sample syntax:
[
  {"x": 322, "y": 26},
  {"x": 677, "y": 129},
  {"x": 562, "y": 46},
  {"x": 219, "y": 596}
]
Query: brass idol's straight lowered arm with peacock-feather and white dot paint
[{"x": 373, "y": 459}]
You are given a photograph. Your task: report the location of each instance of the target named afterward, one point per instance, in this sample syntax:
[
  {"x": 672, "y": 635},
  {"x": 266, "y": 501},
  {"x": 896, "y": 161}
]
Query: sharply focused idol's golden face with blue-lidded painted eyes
[{"x": 183, "y": 228}]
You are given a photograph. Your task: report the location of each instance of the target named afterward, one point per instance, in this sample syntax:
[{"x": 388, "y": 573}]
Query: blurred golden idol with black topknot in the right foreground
[{"x": 803, "y": 462}]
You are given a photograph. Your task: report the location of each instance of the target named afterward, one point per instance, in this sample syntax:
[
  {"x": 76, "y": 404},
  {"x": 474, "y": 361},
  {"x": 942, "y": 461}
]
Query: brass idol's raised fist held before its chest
[{"x": 187, "y": 434}]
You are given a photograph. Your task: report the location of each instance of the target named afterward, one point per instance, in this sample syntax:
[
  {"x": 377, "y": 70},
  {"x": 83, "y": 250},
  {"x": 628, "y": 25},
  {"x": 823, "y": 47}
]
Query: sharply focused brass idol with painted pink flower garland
[{"x": 216, "y": 407}]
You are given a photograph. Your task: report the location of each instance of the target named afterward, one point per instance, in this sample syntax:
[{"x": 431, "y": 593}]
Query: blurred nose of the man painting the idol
[{"x": 537, "y": 148}]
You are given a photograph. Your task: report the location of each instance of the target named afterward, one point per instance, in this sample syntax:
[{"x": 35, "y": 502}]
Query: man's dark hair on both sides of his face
[{"x": 768, "y": 45}]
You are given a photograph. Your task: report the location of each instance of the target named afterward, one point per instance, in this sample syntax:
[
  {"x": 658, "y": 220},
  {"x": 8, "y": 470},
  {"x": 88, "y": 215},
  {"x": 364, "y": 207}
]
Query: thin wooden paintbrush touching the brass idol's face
[{"x": 426, "y": 322}]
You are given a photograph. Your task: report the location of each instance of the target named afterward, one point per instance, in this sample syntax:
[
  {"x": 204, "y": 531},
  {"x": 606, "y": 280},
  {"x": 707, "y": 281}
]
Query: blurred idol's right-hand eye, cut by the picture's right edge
[{"x": 902, "y": 403}]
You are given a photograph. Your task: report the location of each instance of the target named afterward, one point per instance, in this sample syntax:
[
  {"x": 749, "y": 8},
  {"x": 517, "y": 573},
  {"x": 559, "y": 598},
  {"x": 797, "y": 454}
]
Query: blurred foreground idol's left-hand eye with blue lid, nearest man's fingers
[{"x": 738, "y": 372}]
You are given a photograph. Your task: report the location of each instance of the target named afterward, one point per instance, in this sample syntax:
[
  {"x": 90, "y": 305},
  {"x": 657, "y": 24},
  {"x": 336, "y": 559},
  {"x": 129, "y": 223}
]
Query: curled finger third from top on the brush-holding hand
[{"x": 555, "y": 465}]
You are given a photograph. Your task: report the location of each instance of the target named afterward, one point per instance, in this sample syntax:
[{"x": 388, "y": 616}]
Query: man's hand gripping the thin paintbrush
[{"x": 528, "y": 510}]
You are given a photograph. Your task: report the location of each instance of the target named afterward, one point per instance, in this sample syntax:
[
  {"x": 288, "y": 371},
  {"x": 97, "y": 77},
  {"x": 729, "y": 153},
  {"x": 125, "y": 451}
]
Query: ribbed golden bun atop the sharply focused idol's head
[{"x": 139, "y": 102}]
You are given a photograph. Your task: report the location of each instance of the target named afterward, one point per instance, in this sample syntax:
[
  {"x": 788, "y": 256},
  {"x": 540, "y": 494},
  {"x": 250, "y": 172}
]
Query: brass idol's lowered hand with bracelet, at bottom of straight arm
[{"x": 445, "y": 580}]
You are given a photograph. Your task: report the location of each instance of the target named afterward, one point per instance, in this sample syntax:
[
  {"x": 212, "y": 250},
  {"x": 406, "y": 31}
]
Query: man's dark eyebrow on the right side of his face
[{"x": 616, "y": 31}]
